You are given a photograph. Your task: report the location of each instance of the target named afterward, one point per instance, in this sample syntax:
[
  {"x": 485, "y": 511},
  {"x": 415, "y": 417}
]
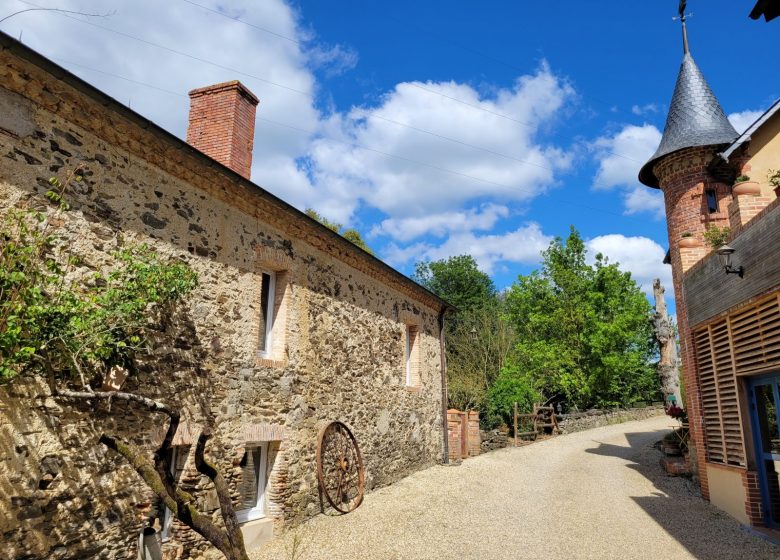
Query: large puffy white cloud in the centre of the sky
[{"x": 405, "y": 171}]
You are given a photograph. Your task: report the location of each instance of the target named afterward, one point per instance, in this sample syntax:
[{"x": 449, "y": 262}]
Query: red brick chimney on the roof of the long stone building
[{"x": 222, "y": 124}]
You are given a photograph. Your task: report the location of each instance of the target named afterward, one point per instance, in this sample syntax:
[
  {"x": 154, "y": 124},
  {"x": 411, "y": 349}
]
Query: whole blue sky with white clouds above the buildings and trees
[{"x": 436, "y": 128}]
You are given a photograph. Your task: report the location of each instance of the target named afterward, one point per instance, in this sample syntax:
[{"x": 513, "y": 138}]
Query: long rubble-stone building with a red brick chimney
[{"x": 291, "y": 327}]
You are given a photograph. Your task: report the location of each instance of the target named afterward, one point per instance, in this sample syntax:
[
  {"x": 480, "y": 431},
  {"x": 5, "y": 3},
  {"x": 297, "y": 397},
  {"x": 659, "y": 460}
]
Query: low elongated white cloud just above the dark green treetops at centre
[{"x": 523, "y": 245}]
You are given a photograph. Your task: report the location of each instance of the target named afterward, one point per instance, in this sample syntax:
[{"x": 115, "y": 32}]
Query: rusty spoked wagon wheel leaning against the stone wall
[{"x": 340, "y": 469}]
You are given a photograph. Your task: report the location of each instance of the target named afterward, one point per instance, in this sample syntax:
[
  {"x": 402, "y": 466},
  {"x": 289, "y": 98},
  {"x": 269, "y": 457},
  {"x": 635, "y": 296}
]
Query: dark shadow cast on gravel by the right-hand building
[{"x": 677, "y": 506}]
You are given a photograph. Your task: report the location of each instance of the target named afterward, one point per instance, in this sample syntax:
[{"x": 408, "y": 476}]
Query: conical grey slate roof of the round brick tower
[{"x": 695, "y": 119}]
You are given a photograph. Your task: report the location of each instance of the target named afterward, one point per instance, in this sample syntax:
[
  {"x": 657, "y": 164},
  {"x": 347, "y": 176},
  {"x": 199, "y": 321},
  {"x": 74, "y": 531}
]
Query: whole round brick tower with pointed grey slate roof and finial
[{"x": 697, "y": 192}]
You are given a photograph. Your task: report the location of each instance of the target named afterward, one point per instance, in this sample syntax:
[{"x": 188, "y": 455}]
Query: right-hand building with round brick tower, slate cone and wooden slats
[{"x": 728, "y": 312}]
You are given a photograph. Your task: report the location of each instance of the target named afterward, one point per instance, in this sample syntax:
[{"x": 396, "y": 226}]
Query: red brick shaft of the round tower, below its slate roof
[{"x": 684, "y": 179}]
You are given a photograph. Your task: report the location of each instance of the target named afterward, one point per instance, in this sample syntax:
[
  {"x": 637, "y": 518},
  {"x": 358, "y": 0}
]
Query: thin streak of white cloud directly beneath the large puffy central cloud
[{"x": 440, "y": 225}]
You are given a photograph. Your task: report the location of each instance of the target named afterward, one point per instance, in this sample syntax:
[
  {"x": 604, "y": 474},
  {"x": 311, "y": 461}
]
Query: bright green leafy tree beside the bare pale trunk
[{"x": 584, "y": 331}]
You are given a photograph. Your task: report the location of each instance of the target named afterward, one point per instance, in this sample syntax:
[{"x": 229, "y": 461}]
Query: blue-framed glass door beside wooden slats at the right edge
[{"x": 765, "y": 412}]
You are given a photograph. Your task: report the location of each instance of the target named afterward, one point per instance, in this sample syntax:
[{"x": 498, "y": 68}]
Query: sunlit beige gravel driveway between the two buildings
[{"x": 596, "y": 494}]
